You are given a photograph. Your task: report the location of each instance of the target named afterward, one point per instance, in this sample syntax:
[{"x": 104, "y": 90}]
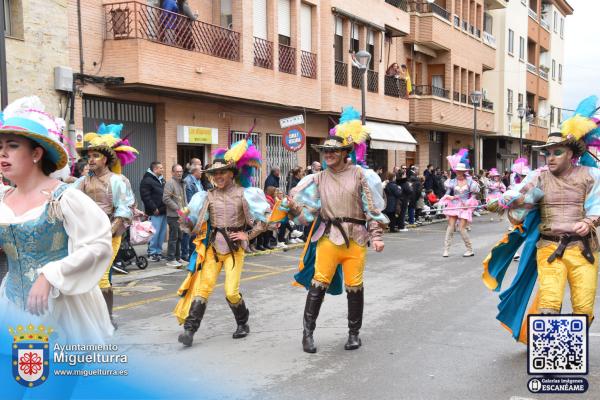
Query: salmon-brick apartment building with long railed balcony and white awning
[{"x": 193, "y": 86}]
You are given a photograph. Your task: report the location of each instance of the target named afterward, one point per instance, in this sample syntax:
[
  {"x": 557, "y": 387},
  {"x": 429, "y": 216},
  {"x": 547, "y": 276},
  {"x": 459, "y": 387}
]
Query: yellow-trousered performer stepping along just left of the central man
[{"x": 219, "y": 218}]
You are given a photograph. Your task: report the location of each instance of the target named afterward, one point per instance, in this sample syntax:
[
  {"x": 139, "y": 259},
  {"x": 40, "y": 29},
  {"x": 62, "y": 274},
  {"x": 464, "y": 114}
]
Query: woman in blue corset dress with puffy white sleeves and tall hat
[{"x": 55, "y": 259}]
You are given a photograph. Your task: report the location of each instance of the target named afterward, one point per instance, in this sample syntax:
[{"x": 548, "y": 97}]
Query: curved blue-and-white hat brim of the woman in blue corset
[{"x": 55, "y": 152}]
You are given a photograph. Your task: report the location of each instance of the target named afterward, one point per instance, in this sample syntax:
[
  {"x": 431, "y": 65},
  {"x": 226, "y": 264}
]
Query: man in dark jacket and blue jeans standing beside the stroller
[{"x": 151, "y": 192}]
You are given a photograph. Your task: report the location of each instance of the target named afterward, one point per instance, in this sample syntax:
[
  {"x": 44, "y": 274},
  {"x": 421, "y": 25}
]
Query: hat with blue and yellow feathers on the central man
[{"x": 349, "y": 134}]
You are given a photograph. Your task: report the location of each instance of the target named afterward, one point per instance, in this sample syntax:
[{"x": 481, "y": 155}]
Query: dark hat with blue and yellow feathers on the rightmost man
[{"x": 578, "y": 132}]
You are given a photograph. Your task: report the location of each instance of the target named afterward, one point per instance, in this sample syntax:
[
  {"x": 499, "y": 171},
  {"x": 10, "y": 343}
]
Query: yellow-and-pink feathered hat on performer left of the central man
[{"x": 242, "y": 158}]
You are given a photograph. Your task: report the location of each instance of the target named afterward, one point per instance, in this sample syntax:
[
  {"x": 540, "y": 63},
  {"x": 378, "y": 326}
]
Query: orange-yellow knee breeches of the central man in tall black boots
[{"x": 329, "y": 255}]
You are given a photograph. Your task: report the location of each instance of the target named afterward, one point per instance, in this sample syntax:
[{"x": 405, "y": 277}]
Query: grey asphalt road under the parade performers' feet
[{"x": 429, "y": 329}]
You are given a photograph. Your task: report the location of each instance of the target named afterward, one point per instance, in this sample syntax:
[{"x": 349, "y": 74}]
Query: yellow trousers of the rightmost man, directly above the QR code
[{"x": 573, "y": 267}]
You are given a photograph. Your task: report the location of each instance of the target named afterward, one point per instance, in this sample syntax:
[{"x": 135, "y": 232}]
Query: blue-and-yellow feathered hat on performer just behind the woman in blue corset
[{"x": 107, "y": 140}]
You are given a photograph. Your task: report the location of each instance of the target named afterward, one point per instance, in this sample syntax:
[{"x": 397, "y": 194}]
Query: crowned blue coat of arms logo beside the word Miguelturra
[{"x": 31, "y": 361}]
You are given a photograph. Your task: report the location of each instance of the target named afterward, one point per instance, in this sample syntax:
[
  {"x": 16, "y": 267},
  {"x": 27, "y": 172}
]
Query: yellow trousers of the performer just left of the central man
[{"x": 211, "y": 268}]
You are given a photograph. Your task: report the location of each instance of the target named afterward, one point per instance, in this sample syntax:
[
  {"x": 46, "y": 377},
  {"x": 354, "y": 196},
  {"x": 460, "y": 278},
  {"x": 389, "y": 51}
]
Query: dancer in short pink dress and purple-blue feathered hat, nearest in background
[{"x": 459, "y": 201}]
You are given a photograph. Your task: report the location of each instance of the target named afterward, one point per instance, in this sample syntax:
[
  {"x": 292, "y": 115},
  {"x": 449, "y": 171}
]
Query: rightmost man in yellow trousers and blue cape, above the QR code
[{"x": 556, "y": 210}]
